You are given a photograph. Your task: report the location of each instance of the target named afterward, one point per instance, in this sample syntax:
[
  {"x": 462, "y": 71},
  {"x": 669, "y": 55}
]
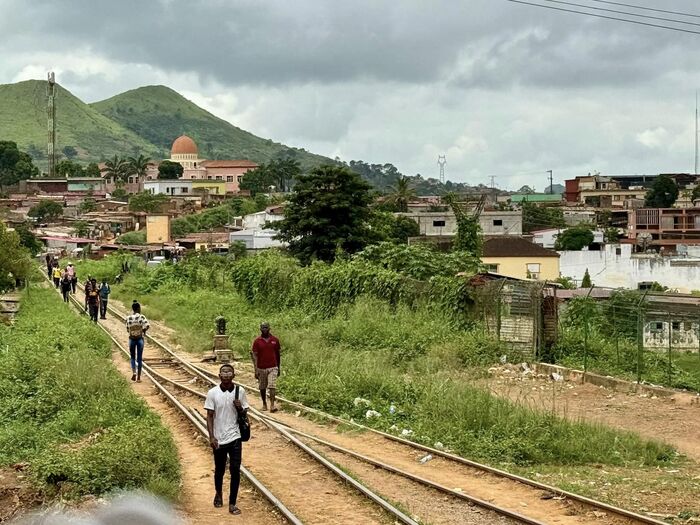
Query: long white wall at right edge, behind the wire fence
[{"x": 609, "y": 269}]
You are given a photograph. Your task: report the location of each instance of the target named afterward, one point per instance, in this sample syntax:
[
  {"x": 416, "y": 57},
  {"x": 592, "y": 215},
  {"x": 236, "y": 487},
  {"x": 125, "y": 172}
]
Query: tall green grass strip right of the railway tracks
[{"x": 401, "y": 357}]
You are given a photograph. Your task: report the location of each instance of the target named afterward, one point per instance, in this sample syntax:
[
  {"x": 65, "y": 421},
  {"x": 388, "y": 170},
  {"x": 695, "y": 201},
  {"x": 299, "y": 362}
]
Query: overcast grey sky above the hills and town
[{"x": 500, "y": 88}]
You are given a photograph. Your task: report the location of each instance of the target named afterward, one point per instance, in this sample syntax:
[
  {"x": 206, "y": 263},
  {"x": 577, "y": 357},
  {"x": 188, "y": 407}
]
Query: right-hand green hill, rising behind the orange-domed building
[{"x": 160, "y": 115}]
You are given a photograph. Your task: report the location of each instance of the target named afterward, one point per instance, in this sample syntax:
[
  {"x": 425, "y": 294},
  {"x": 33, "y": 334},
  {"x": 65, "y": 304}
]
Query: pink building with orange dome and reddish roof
[{"x": 222, "y": 173}]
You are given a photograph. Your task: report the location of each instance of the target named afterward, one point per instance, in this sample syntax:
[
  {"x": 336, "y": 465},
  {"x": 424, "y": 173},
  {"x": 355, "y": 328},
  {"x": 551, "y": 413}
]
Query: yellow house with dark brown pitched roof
[{"x": 516, "y": 257}]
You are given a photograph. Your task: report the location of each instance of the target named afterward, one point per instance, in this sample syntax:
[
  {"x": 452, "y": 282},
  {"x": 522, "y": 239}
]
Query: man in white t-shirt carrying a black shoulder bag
[{"x": 223, "y": 410}]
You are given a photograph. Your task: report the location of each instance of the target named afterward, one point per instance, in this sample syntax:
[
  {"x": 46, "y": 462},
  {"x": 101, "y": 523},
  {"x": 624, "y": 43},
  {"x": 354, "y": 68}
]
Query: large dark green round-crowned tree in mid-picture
[{"x": 326, "y": 213}]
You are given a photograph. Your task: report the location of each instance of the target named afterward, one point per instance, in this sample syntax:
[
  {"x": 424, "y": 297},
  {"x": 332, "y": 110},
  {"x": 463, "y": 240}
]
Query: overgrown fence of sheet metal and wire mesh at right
[{"x": 644, "y": 337}]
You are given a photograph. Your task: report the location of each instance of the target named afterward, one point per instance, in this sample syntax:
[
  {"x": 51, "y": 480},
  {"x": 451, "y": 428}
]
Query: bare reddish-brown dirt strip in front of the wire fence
[{"x": 675, "y": 419}]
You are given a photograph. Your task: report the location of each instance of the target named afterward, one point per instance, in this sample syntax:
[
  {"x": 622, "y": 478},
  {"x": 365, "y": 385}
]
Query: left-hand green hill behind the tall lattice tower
[{"x": 94, "y": 136}]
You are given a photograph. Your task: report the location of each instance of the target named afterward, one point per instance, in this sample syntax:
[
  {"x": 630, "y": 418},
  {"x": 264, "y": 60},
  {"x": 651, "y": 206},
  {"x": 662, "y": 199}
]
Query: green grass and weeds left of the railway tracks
[{"x": 69, "y": 415}]
